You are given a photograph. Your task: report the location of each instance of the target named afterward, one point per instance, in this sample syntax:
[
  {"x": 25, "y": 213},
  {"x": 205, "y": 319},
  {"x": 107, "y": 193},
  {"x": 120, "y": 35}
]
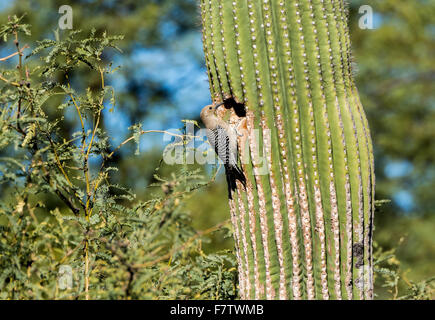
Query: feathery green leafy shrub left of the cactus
[{"x": 60, "y": 209}]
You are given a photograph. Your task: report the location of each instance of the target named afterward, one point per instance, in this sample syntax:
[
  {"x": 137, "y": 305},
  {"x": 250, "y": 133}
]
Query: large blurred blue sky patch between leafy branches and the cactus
[{"x": 175, "y": 68}]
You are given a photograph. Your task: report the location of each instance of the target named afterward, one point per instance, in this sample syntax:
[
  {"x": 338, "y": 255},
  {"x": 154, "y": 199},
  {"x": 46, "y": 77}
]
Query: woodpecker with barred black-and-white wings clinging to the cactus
[{"x": 223, "y": 137}]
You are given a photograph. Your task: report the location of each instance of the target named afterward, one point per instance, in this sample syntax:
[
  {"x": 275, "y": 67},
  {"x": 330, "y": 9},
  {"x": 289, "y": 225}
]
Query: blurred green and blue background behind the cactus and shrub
[{"x": 163, "y": 80}]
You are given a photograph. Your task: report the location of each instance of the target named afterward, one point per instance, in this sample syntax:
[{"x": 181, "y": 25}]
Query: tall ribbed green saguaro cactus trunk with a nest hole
[{"x": 303, "y": 227}]
